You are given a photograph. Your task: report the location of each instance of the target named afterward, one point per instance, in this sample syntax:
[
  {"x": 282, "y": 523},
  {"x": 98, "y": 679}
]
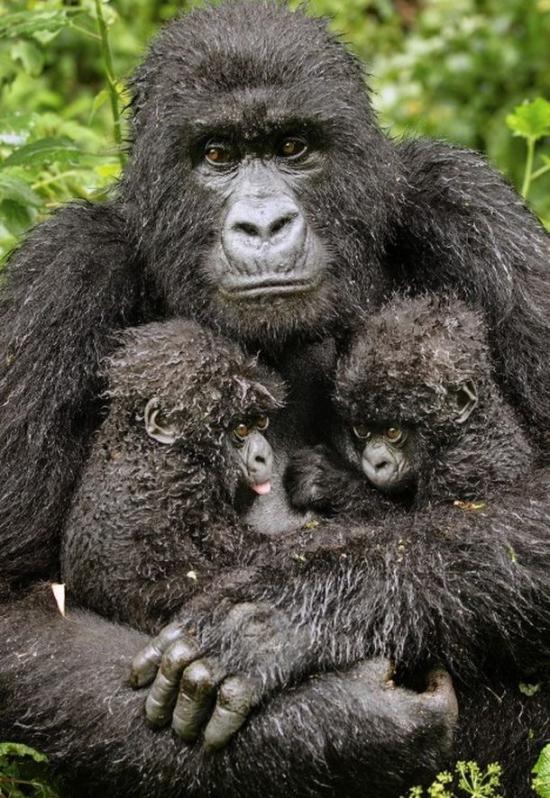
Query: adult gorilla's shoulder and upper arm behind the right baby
[{"x": 464, "y": 228}]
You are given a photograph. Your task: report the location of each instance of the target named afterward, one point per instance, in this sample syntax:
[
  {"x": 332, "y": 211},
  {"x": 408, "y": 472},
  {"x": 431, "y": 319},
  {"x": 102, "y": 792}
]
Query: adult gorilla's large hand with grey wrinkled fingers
[{"x": 191, "y": 689}]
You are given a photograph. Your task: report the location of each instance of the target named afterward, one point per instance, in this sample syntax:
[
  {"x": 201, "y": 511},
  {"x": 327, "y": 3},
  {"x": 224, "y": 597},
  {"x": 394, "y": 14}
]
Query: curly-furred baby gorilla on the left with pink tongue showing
[{"x": 154, "y": 515}]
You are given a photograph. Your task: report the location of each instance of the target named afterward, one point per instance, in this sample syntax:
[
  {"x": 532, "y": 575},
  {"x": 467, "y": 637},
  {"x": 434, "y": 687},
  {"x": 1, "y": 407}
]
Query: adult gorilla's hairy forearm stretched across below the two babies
[{"x": 466, "y": 586}]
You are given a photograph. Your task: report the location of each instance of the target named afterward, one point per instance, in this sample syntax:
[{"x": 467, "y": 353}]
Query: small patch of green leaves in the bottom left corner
[{"x": 24, "y": 773}]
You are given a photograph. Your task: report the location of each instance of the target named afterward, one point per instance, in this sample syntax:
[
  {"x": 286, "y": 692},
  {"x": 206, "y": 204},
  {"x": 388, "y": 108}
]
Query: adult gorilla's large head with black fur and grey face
[{"x": 258, "y": 174}]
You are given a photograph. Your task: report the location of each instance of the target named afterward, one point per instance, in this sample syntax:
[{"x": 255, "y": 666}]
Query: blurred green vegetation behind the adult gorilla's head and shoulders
[{"x": 453, "y": 69}]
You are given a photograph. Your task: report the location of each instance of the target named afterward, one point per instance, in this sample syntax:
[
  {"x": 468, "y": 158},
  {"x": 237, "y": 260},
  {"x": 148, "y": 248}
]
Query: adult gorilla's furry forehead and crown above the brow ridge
[{"x": 237, "y": 47}]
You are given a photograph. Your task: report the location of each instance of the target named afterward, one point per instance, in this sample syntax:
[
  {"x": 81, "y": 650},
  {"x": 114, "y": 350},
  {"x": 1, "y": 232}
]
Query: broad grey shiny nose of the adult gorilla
[{"x": 275, "y": 228}]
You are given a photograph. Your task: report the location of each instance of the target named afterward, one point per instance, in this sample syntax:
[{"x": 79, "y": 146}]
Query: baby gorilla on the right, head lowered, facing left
[{"x": 419, "y": 416}]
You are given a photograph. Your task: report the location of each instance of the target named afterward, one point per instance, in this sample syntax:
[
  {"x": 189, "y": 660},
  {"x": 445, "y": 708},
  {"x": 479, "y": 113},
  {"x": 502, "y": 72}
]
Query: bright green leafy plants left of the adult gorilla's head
[{"x": 49, "y": 155}]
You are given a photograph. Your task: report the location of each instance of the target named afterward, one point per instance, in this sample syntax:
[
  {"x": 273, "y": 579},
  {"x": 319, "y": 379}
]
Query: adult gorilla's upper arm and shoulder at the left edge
[{"x": 68, "y": 286}]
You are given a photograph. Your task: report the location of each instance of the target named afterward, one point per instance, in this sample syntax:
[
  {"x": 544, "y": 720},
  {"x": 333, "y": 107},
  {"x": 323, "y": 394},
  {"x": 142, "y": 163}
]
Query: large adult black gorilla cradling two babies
[{"x": 262, "y": 199}]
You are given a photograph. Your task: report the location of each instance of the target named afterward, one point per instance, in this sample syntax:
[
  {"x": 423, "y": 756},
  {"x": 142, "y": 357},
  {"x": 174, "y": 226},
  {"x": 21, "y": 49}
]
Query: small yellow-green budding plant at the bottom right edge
[{"x": 467, "y": 779}]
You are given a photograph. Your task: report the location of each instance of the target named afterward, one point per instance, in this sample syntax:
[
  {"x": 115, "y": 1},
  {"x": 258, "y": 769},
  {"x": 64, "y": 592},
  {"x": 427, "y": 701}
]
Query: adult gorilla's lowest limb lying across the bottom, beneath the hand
[{"x": 62, "y": 690}]
